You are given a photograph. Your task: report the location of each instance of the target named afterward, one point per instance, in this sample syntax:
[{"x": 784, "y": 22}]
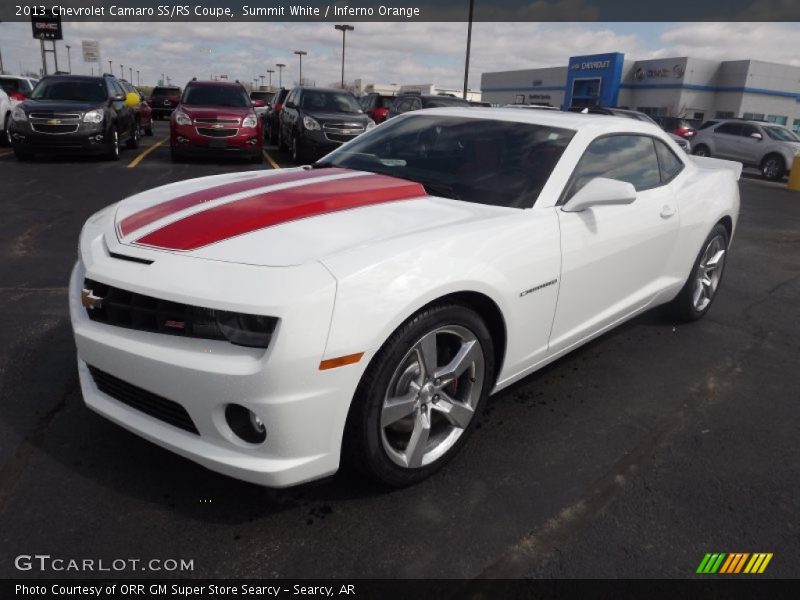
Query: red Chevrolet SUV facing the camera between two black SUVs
[{"x": 215, "y": 118}]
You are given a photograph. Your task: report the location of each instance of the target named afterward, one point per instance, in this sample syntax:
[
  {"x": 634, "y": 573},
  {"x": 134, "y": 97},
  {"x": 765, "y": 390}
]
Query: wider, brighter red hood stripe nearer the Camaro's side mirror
[{"x": 280, "y": 206}]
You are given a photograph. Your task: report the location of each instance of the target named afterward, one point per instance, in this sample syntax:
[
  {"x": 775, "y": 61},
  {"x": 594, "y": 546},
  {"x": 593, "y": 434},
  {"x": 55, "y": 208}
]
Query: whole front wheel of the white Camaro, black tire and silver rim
[{"x": 421, "y": 396}]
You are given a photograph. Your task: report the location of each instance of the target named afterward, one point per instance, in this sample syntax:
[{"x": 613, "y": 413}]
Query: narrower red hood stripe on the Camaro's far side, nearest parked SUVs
[{"x": 152, "y": 214}]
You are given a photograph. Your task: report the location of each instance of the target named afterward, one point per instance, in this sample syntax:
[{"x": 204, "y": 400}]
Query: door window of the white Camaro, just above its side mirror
[{"x": 630, "y": 158}]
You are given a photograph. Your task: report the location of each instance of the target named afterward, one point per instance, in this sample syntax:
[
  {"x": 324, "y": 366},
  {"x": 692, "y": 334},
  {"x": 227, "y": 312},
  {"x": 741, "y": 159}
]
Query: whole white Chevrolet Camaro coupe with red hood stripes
[{"x": 272, "y": 324}]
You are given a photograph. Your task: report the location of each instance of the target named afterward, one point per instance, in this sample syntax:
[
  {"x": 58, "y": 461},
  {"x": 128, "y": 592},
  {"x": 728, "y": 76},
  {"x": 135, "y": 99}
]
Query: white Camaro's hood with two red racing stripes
[{"x": 280, "y": 218}]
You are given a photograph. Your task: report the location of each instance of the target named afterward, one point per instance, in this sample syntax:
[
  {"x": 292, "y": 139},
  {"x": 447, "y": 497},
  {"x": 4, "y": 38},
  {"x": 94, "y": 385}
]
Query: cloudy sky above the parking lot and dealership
[{"x": 405, "y": 53}]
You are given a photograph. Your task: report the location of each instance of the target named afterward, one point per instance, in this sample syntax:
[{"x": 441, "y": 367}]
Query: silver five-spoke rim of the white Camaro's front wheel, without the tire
[{"x": 432, "y": 396}]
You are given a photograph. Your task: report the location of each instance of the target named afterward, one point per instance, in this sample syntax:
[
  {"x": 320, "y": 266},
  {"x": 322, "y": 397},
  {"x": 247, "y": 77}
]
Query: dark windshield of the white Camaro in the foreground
[{"x": 501, "y": 163}]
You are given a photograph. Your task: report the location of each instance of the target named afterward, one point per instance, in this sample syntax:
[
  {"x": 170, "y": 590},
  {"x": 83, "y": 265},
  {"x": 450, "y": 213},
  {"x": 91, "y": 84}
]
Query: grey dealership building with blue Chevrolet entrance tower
[{"x": 693, "y": 88}]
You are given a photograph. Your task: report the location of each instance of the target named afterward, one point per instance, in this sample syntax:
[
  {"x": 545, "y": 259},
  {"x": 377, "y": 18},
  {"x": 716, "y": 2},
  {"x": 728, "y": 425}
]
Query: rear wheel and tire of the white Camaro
[{"x": 698, "y": 293}]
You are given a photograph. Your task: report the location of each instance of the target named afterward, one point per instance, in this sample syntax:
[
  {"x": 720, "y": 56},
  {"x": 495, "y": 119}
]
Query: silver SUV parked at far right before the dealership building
[{"x": 767, "y": 146}]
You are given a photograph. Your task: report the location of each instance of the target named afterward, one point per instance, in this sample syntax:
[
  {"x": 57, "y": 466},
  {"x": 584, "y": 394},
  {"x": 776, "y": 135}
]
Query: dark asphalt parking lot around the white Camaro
[{"x": 631, "y": 457}]
